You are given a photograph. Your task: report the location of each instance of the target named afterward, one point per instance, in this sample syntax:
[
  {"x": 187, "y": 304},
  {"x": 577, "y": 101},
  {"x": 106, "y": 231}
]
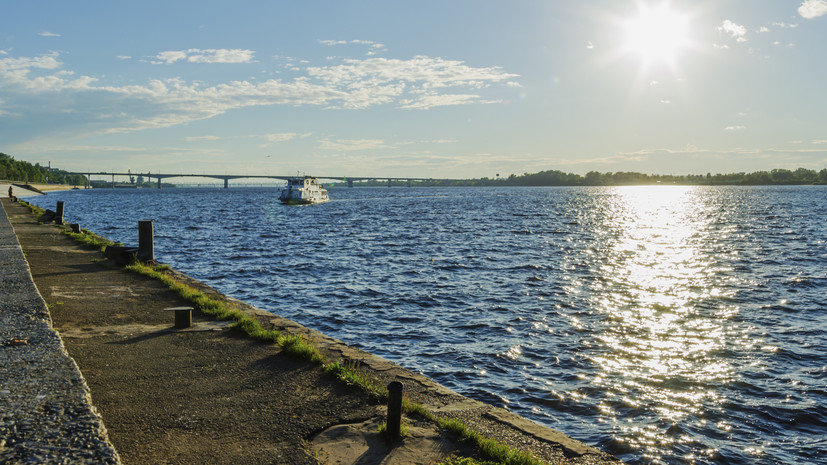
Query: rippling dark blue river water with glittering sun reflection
[{"x": 662, "y": 324}]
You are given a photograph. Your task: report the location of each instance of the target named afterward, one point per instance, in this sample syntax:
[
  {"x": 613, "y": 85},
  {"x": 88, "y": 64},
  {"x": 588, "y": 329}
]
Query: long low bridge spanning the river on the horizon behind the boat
[{"x": 227, "y": 177}]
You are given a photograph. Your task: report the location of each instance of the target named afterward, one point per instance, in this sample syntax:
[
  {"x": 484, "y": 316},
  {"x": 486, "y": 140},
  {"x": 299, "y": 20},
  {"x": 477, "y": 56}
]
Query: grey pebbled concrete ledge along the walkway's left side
[{"x": 46, "y": 414}]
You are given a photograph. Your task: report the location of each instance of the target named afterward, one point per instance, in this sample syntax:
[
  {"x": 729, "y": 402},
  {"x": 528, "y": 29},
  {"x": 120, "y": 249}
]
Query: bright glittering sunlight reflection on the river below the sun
[{"x": 665, "y": 319}]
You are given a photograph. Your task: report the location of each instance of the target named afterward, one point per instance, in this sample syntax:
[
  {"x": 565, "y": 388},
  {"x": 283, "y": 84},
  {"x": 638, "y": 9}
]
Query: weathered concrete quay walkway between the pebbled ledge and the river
[{"x": 208, "y": 395}]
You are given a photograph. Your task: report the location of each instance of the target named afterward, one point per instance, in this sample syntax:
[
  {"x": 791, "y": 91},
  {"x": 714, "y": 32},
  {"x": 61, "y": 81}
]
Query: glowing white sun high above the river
[{"x": 657, "y": 34}]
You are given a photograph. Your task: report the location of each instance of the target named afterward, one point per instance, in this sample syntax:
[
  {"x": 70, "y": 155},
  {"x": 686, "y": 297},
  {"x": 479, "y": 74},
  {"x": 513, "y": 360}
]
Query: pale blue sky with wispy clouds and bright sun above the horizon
[{"x": 423, "y": 89}]
